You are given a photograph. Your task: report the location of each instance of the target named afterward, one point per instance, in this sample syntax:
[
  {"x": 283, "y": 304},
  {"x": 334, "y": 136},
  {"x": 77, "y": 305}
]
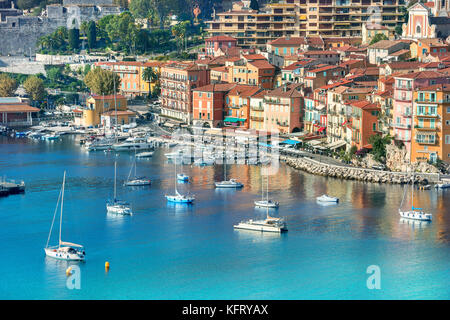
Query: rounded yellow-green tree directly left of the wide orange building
[{"x": 101, "y": 81}]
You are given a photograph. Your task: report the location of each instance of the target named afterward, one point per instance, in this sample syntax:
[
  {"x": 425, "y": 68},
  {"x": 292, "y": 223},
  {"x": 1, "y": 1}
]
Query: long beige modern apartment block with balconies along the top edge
[{"x": 294, "y": 18}]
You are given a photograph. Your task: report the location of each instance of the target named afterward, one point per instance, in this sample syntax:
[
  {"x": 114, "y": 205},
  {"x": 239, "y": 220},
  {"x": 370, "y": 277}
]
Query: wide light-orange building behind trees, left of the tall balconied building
[{"x": 131, "y": 73}]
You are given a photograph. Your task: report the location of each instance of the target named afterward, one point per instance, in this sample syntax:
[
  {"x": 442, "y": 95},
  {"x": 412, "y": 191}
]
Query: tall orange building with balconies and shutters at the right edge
[{"x": 431, "y": 130}]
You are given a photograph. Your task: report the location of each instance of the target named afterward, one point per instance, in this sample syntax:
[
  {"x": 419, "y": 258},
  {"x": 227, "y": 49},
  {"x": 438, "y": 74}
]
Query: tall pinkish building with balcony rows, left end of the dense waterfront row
[{"x": 177, "y": 81}]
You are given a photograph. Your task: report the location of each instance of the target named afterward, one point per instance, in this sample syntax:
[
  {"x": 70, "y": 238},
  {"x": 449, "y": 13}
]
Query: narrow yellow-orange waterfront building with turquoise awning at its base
[{"x": 237, "y": 106}]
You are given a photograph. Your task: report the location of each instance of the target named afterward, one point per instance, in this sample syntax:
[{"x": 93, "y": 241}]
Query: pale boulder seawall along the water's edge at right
[{"x": 359, "y": 174}]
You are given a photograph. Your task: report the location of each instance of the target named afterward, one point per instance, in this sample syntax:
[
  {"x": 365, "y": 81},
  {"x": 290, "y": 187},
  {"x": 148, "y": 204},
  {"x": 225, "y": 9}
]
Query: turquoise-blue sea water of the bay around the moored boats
[{"x": 192, "y": 252}]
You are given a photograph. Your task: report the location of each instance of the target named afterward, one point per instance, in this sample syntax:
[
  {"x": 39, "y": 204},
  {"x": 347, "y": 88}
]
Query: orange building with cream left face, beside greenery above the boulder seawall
[{"x": 364, "y": 123}]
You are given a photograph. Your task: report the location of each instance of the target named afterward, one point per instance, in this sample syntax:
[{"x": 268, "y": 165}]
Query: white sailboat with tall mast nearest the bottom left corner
[{"x": 64, "y": 250}]
